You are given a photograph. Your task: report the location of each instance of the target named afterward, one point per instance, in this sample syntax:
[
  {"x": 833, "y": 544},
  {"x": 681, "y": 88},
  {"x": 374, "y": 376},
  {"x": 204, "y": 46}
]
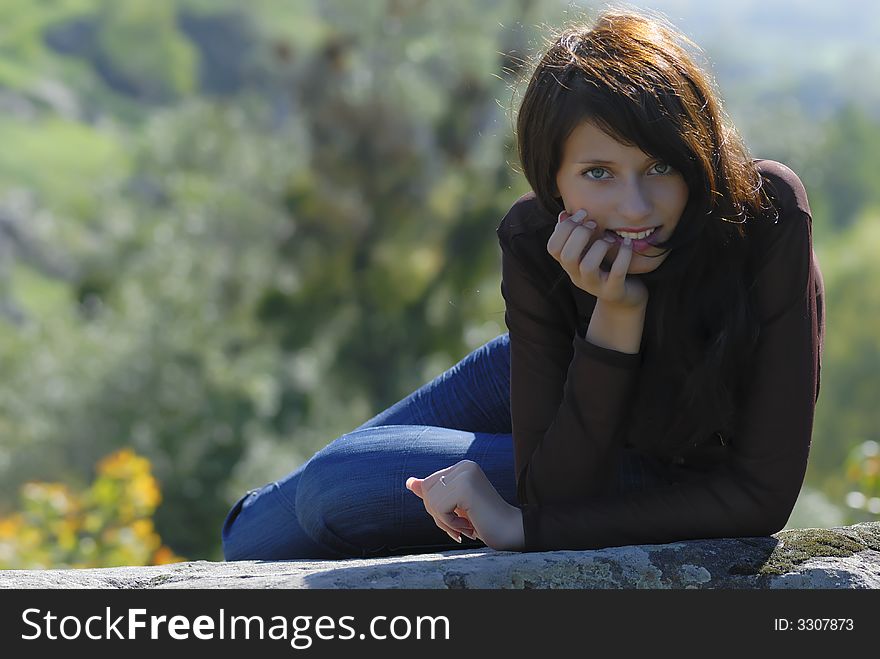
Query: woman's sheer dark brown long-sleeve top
[{"x": 574, "y": 405}]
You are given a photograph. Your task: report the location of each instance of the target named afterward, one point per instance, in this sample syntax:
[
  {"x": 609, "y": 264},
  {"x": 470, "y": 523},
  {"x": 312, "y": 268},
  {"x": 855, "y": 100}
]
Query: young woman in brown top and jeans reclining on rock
[{"x": 661, "y": 369}]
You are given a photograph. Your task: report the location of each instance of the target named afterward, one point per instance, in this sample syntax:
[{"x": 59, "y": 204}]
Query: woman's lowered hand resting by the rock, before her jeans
[{"x": 466, "y": 502}]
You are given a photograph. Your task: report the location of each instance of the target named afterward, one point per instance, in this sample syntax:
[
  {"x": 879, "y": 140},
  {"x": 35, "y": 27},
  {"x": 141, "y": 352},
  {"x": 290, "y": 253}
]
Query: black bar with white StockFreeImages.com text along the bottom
[{"x": 523, "y": 621}]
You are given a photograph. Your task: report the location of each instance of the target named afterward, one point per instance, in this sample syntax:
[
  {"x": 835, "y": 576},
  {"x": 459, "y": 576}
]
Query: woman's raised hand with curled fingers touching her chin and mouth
[{"x": 571, "y": 238}]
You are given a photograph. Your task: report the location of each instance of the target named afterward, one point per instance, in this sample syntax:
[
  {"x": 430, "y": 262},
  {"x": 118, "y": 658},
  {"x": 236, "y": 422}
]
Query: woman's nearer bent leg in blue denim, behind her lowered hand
[{"x": 352, "y": 498}]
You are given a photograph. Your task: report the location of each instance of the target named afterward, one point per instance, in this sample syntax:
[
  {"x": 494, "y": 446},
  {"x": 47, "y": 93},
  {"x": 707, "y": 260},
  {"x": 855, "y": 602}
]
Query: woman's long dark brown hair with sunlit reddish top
[{"x": 633, "y": 75}]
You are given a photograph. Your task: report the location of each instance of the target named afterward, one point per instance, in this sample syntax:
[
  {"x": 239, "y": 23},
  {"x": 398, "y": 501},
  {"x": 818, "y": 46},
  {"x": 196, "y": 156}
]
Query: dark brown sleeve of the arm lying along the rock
[{"x": 754, "y": 492}]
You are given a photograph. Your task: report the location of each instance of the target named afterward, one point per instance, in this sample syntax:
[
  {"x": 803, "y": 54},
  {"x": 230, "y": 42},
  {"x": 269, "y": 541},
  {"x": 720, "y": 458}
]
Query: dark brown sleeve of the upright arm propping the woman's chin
[{"x": 568, "y": 396}]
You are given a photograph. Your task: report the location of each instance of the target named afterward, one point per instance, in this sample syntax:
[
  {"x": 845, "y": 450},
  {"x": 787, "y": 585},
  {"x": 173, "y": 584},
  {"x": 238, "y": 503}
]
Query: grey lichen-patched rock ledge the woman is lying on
[{"x": 837, "y": 557}]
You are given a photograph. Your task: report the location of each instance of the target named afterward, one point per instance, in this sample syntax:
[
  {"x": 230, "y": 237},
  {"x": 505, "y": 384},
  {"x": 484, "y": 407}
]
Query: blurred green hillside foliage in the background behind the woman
[{"x": 232, "y": 235}]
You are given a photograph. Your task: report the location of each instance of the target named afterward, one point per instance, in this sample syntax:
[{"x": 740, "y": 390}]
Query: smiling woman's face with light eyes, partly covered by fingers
[{"x": 621, "y": 188}]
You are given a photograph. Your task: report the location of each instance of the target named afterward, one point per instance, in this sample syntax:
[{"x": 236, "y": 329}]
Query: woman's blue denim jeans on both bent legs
[{"x": 349, "y": 500}]
